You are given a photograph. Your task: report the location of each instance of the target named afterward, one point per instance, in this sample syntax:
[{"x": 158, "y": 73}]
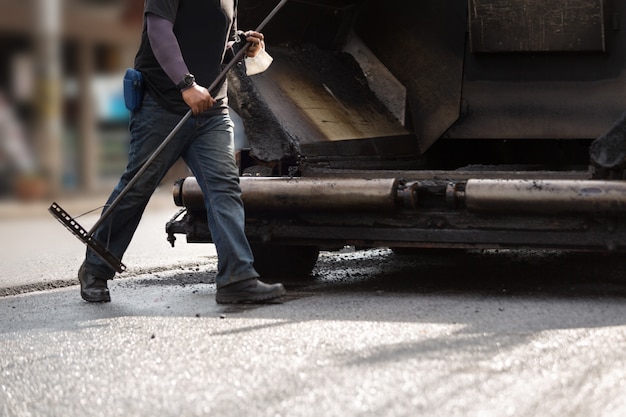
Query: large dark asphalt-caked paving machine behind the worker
[{"x": 430, "y": 124}]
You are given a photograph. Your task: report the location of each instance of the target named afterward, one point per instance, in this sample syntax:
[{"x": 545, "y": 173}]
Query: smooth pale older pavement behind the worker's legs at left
[{"x": 36, "y": 251}]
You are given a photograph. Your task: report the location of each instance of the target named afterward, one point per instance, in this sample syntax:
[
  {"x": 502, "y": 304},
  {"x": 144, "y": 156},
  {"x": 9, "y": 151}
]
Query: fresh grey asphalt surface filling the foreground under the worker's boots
[{"x": 370, "y": 333}]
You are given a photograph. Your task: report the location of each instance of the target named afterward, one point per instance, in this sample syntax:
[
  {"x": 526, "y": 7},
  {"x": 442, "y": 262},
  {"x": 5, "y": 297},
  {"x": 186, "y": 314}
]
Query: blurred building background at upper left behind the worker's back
[{"x": 63, "y": 124}]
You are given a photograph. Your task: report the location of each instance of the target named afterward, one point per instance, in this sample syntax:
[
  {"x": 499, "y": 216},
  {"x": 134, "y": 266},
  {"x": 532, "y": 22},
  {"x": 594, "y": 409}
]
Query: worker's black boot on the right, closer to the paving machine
[{"x": 249, "y": 291}]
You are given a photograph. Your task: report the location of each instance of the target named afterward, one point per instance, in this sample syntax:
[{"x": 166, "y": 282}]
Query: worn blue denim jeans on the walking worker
[{"x": 206, "y": 145}]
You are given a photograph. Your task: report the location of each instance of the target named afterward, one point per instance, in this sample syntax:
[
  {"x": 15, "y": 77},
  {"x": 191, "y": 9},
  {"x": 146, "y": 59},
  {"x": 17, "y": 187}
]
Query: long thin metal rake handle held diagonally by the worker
[{"x": 174, "y": 131}]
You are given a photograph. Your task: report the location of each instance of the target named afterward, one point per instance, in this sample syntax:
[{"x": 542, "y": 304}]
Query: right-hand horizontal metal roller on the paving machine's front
[{"x": 546, "y": 196}]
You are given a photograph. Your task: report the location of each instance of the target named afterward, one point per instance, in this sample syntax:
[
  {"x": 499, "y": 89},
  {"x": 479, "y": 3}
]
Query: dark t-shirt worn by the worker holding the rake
[{"x": 203, "y": 29}]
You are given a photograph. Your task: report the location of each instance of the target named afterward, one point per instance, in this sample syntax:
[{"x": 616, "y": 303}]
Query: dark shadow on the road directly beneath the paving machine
[{"x": 496, "y": 273}]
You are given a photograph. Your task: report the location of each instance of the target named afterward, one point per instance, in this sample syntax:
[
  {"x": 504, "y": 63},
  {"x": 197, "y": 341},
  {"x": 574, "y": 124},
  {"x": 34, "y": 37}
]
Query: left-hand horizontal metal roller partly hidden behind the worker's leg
[{"x": 307, "y": 194}]
